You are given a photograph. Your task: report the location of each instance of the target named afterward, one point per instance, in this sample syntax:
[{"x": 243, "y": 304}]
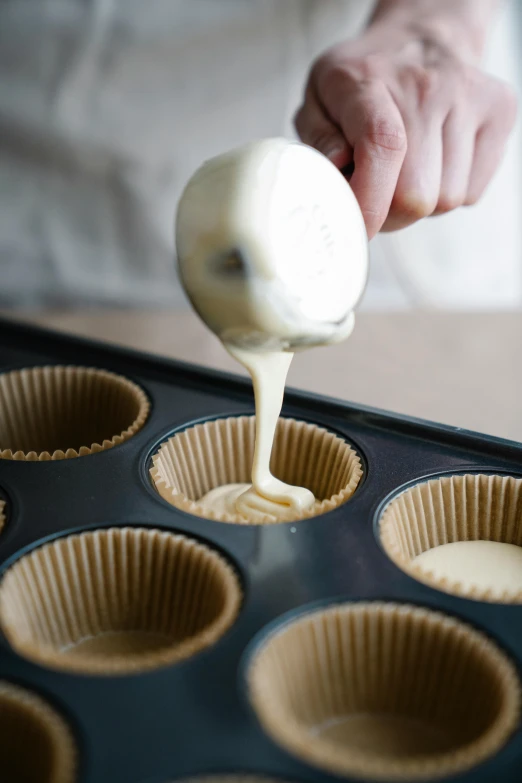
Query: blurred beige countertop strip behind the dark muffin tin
[{"x": 457, "y": 368}]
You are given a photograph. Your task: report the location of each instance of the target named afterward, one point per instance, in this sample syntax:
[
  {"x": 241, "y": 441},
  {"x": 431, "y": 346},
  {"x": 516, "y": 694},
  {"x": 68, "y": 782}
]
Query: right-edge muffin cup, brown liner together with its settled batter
[{"x": 459, "y": 508}]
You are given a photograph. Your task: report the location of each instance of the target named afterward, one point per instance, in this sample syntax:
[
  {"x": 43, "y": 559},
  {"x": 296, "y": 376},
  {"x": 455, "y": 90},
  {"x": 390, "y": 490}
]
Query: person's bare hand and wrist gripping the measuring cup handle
[{"x": 406, "y": 103}]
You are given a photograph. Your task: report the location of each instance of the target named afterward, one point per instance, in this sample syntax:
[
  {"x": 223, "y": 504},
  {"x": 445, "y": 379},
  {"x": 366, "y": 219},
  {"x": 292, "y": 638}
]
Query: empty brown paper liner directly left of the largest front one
[{"x": 118, "y": 600}]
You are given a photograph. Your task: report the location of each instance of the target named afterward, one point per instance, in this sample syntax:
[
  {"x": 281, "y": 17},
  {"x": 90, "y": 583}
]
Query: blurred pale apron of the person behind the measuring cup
[{"x": 107, "y": 107}]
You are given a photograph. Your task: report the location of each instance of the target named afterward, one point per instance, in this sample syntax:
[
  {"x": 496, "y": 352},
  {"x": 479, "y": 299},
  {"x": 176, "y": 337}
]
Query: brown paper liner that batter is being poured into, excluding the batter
[{"x": 193, "y": 462}]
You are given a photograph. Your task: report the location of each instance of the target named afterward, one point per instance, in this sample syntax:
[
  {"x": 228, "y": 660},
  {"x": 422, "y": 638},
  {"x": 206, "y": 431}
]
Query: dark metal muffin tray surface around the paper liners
[{"x": 193, "y": 717}]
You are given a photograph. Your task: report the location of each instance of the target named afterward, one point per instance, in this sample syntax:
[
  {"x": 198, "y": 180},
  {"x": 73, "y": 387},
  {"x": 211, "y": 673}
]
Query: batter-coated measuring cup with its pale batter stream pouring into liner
[{"x": 273, "y": 254}]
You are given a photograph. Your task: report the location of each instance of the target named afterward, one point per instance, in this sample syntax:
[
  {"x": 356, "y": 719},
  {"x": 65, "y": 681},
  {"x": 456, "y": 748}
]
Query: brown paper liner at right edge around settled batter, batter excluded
[{"x": 453, "y": 508}]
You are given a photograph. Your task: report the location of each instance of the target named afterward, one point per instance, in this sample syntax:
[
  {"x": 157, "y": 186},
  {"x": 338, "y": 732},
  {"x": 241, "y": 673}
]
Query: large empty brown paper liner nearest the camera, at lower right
[{"x": 385, "y": 692}]
